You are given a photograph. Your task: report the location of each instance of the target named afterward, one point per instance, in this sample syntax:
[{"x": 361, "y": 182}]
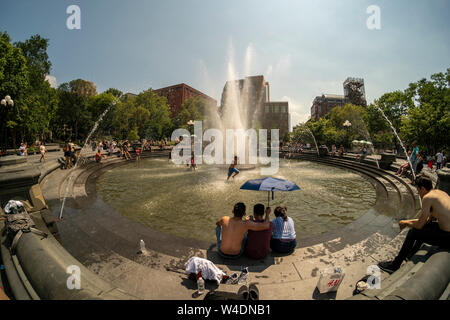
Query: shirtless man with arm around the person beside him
[{"x": 232, "y": 232}]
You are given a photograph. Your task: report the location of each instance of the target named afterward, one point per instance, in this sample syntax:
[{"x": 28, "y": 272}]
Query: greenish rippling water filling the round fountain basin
[{"x": 176, "y": 200}]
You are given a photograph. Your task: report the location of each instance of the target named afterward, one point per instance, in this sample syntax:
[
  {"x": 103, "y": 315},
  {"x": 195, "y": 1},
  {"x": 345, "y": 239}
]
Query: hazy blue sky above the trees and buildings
[{"x": 303, "y": 48}]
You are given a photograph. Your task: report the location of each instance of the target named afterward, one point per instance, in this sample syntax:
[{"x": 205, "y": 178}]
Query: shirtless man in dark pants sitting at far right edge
[{"x": 425, "y": 229}]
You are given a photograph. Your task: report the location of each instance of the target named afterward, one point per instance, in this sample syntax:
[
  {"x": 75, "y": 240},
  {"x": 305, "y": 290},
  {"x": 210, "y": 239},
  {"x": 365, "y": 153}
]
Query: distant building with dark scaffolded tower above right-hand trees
[{"x": 354, "y": 93}]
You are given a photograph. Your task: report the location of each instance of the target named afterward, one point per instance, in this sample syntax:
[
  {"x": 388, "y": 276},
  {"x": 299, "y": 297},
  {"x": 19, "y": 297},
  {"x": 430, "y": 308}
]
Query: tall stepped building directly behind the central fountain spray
[{"x": 253, "y": 94}]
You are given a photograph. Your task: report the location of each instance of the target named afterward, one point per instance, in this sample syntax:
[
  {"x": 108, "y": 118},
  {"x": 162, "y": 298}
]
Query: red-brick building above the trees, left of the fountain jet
[{"x": 176, "y": 95}]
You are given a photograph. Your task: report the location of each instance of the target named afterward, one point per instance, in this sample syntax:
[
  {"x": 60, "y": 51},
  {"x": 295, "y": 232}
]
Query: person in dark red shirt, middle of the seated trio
[{"x": 258, "y": 242}]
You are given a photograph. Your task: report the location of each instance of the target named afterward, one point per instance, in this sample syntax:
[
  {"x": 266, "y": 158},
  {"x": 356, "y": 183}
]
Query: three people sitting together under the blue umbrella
[{"x": 255, "y": 235}]
